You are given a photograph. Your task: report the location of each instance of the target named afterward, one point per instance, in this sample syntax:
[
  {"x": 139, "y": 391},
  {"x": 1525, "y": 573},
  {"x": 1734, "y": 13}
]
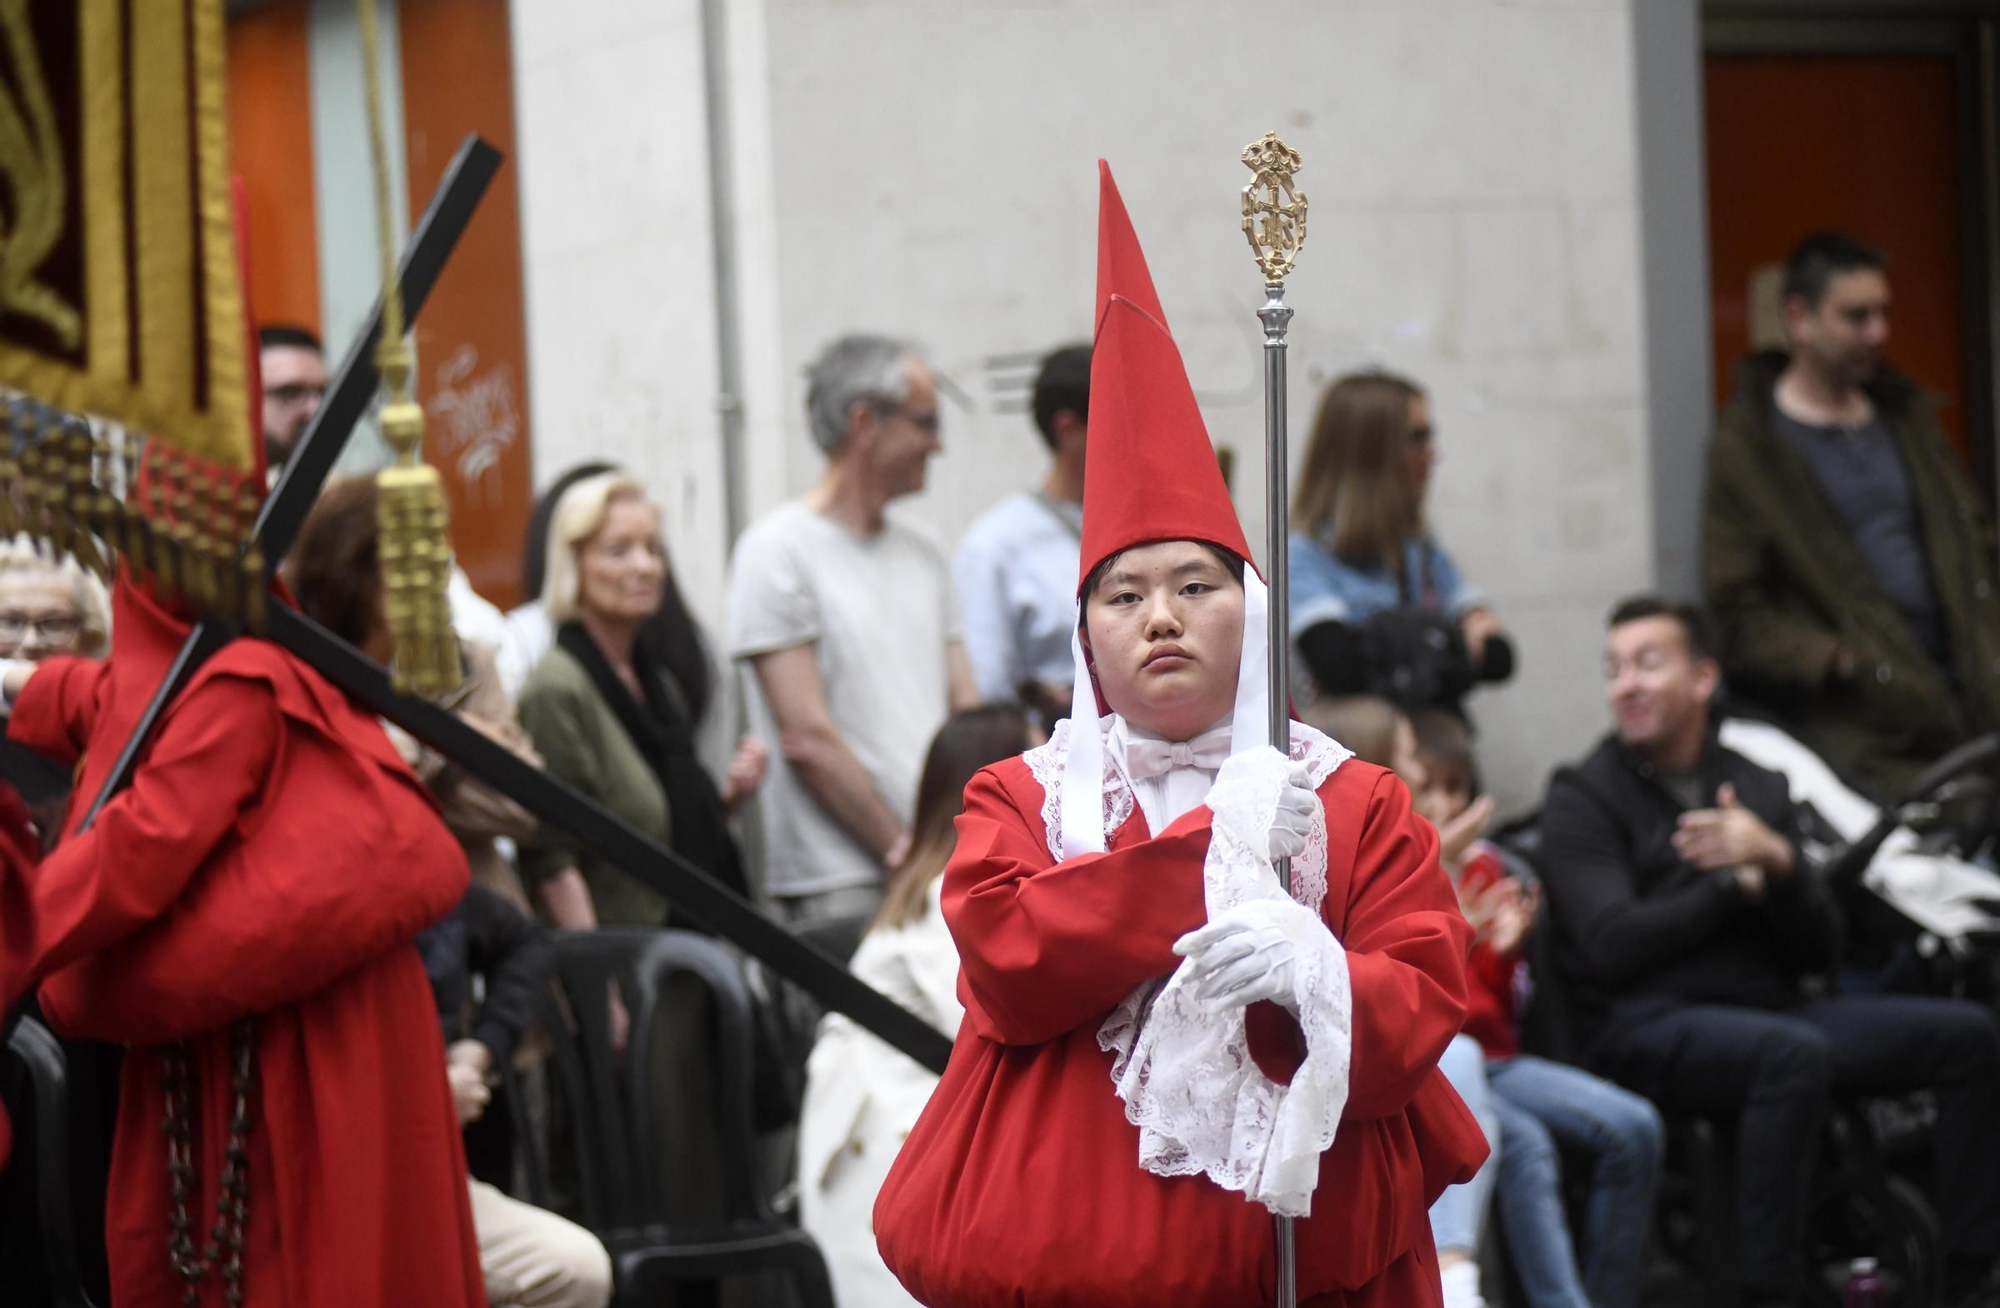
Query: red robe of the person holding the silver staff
[{"x": 1021, "y": 1183}]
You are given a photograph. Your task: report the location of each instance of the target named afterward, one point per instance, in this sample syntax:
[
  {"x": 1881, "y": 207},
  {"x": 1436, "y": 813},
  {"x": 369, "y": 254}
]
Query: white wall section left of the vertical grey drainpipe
[{"x": 617, "y": 259}]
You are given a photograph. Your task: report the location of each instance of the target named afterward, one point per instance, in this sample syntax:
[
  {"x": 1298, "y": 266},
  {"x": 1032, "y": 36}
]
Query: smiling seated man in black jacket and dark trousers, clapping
[{"x": 1689, "y": 923}]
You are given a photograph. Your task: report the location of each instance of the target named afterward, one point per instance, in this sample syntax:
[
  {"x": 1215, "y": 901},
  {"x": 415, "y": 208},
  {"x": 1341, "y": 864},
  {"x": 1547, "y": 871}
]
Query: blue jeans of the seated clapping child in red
[{"x": 1543, "y": 1109}]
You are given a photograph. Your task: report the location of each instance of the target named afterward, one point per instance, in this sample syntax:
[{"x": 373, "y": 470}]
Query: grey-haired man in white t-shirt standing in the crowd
[{"x": 851, "y": 633}]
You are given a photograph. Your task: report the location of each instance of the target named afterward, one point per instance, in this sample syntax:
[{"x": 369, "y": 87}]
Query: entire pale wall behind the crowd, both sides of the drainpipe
[{"x": 929, "y": 169}]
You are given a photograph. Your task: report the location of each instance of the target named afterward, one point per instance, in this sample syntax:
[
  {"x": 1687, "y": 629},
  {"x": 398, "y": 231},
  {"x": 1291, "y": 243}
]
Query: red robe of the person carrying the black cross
[{"x": 273, "y": 857}]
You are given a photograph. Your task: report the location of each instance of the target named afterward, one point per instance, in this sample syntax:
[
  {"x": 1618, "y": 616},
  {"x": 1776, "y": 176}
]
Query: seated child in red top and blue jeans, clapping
[{"x": 1543, "y": 1107}]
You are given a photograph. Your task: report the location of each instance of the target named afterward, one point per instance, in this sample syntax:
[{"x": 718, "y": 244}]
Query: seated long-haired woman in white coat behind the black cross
[{"x": 861, "y": 1095}]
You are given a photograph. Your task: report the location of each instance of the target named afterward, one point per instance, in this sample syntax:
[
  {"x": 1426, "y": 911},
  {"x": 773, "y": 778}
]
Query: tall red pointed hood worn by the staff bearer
[{"x": 1149, "y": 471}]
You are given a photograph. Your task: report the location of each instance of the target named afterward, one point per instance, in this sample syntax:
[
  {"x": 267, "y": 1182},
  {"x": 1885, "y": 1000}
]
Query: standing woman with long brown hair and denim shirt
[{"x": 1379, "y": 607}]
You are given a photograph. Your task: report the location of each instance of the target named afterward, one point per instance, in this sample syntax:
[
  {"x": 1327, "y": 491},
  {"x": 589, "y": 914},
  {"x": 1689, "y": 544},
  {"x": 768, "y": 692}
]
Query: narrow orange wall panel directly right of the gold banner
[{"x": 271, "y": 151}]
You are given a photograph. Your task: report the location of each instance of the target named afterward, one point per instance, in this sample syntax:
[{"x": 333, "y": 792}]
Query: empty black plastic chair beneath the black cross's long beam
[{"x": 619, "y": 1139}]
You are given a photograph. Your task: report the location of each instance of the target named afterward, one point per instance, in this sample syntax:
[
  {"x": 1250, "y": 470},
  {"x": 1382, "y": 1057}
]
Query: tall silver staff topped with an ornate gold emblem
[{"x": 1275, "y": 223}]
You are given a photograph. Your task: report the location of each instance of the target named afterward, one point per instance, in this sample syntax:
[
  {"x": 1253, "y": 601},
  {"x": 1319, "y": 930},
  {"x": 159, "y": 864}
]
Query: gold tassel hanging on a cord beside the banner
[{"x": 413, "y": 547}]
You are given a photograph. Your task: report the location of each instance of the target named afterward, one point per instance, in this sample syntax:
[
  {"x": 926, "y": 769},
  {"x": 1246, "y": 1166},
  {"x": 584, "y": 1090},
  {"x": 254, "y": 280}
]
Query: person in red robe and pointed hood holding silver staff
[{"x": 1163, "y": 1045}]
